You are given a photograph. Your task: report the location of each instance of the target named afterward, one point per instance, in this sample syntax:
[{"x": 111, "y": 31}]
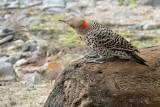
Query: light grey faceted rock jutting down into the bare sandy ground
[{"x": 31, "y": 79}]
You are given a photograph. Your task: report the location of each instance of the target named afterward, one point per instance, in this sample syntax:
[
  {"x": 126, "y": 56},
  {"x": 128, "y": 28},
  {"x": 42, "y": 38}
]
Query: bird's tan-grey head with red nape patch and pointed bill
[{"x": 76, "y": 23}]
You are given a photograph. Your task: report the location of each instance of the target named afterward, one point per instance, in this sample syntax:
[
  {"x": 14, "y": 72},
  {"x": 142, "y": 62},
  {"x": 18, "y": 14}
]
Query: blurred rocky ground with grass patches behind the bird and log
[{"x": 35, "y": 47}]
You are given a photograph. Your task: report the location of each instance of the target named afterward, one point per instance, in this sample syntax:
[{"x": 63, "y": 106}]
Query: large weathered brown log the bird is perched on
[{"x": 117, "y": 83}]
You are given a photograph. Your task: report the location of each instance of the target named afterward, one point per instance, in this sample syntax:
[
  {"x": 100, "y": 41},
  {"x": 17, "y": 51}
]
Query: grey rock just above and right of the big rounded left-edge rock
[{"x": 14, "y": 58}]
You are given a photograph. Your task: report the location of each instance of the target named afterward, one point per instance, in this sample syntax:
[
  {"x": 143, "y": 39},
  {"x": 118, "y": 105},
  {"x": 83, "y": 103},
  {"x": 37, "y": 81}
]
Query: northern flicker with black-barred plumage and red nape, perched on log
[{"x": 103, "y": 42}]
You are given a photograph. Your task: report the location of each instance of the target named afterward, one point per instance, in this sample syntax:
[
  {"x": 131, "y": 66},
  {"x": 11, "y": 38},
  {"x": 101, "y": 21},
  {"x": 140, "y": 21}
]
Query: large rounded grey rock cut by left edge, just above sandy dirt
[{"x": 7, "y": 72}]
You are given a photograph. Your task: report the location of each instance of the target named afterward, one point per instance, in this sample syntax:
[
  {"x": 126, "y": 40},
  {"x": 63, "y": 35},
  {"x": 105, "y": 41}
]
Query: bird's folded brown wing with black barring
[{"x": 116, "y": 42}]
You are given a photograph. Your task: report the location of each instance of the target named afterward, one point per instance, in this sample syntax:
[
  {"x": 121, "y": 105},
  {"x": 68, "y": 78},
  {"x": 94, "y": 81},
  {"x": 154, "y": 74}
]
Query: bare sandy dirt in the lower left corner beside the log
[{"x": 16, "y": 94}]
